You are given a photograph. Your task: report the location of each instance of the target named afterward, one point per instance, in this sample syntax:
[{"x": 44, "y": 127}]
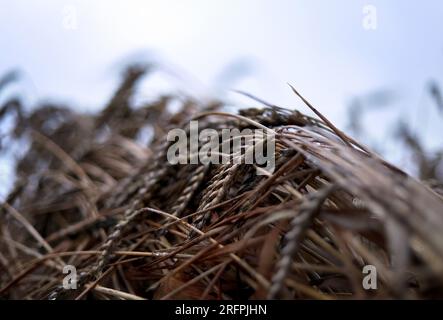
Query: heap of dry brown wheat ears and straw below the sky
[{"x": 87, "y": 194}]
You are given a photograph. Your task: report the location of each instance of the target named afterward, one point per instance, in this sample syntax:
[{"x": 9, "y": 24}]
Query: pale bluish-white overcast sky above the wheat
[{"x": 73, "y": 52}]
